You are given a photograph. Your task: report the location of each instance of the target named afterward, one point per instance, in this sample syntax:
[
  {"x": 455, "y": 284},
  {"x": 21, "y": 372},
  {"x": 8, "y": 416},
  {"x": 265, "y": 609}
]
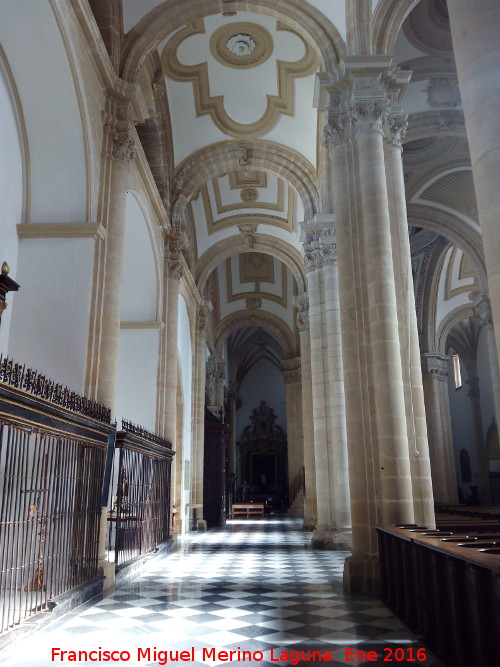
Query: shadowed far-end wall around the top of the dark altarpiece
[{"x": 264, "y": 382}]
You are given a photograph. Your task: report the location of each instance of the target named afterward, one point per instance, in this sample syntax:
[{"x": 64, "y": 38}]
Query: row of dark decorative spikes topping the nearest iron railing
[{"x": 33, "y": 382}]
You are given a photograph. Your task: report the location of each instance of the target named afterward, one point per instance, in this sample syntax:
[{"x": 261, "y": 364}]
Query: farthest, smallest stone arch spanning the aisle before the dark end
[{"x": 268, "y": 321}]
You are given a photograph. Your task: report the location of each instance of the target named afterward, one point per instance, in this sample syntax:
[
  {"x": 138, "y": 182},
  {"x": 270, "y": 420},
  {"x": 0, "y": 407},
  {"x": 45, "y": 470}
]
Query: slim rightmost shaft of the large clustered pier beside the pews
[{"x": 407, "y": 324}]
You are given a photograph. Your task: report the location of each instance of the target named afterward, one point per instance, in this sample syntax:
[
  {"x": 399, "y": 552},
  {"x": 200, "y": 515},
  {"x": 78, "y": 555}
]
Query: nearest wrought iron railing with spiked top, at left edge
[{"x": 52, "y": 454}]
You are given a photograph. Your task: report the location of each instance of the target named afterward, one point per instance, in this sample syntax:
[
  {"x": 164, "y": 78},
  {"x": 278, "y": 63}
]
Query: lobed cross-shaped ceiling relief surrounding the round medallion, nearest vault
[{"x": 241, "y": 46}]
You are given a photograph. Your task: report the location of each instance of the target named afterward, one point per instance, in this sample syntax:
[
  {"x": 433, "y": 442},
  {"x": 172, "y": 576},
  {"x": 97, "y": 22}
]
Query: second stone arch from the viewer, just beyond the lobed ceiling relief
[{"x": 225, "y": 156}]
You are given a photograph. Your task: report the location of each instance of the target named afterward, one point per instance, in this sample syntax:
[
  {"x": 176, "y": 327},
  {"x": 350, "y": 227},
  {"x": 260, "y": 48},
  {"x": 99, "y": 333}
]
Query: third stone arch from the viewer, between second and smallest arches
[{"x": 233, "y": 245}]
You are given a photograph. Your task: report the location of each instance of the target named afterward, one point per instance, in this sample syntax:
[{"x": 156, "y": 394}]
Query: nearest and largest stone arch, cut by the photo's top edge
[{"x": 170, "y": 15}]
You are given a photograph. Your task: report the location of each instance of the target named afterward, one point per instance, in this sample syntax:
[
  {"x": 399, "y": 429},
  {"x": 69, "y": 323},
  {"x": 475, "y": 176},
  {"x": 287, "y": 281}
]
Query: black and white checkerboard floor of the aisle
[{"x": 253, "y": 586}]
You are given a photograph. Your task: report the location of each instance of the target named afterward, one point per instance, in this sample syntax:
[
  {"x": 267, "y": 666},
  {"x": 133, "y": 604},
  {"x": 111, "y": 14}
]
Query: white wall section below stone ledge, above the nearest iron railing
[{"x": 50, "y": 313}]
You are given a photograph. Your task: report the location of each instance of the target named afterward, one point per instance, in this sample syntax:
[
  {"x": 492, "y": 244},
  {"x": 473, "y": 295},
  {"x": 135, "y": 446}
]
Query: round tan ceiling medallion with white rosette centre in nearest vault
[{"x": 241, "y": 45}]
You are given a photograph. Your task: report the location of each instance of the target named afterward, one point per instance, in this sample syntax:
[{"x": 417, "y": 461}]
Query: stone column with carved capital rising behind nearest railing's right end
[{"x": 121, "y": 143}]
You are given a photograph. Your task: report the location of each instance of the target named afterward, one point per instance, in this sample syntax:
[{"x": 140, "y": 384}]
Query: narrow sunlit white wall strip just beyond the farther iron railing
[{"x": 185, "y": 353}]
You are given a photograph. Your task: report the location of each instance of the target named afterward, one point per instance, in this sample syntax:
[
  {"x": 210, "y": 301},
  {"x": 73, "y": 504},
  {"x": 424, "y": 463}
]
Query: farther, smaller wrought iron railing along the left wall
[{"x": 139, "y": 515}]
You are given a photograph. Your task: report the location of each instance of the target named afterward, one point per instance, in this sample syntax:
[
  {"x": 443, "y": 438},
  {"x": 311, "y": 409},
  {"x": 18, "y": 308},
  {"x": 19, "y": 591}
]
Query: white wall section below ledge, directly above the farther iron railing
[{"x": 137, "y": 376}]
